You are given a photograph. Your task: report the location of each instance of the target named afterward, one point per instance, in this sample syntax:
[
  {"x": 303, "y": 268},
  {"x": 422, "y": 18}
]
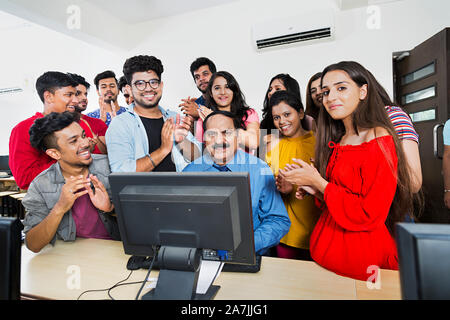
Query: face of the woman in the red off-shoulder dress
[{"x": 341, "y": 95}]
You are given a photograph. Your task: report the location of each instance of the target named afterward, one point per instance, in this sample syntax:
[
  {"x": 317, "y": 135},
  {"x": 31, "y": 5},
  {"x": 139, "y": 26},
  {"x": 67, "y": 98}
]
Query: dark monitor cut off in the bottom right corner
[{"x": 424, "y": 260}]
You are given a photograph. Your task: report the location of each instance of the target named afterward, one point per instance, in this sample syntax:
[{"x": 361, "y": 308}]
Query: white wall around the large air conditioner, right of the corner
[{"x": 224, "y": 35}]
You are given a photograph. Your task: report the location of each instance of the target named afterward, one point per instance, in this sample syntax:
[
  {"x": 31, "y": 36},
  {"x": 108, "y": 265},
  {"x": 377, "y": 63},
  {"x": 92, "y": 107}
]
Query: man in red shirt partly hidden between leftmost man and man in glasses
[{"x": 95, "y": 128}]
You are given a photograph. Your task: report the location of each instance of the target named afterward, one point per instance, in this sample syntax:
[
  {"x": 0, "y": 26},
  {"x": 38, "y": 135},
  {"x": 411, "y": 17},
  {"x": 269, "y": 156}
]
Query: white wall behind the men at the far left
[{"x": 29, "y": 50}]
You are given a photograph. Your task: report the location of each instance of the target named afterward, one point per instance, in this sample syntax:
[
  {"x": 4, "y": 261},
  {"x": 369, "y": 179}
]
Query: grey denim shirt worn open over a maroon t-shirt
[{"x": 44, "y": 193}]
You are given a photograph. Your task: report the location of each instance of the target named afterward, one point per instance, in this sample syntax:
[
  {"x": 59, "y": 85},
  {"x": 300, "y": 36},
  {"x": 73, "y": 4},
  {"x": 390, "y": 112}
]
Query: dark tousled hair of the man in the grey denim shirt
[{"x": 42, "y": 131}]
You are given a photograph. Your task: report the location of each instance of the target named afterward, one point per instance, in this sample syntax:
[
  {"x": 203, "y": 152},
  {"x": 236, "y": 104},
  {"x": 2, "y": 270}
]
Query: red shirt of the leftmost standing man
[{"x": 25, "y": 161}]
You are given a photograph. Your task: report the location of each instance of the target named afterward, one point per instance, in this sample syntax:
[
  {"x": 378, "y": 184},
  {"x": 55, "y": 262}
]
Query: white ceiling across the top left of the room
[{"x": 121, "y": 16}]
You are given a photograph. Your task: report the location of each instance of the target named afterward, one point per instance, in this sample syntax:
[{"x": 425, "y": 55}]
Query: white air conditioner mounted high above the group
[{"x": 303, "y": 28}]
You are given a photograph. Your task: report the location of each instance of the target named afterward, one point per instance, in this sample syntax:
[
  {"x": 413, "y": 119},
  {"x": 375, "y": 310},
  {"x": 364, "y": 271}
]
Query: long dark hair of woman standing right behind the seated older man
[{"x": 238, "y": 105}]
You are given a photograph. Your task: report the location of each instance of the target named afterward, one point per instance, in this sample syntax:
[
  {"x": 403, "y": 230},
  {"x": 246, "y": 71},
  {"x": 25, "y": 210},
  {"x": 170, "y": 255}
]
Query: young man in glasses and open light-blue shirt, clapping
[{"x": 147, "y": 137}]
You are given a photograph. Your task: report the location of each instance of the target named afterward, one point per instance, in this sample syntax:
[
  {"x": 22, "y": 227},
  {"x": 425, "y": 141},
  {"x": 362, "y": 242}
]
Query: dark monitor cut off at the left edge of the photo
[{"x": 10, "y": 254}]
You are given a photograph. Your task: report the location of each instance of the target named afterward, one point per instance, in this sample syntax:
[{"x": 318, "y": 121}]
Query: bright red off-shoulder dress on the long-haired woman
[{"x": 351, "y": 236}]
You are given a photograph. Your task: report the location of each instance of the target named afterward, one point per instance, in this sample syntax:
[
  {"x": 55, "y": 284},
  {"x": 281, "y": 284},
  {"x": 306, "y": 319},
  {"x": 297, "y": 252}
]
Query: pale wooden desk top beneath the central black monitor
[{"x": 100, "y": 264}]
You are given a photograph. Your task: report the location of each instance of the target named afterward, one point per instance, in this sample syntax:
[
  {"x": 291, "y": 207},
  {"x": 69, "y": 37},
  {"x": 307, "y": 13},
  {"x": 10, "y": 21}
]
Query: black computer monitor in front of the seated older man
[{"x": 191, "y": 210}]
